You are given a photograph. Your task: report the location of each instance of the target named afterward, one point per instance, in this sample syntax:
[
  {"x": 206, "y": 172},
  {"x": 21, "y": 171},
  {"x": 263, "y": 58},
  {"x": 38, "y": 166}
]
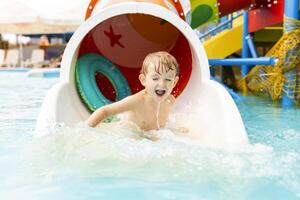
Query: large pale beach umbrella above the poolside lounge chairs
[{"x": 40, "y": 17}]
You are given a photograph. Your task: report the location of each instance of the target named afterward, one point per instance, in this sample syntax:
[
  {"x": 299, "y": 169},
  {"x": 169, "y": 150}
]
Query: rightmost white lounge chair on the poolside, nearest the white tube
[{"x": 37, "y": 59}]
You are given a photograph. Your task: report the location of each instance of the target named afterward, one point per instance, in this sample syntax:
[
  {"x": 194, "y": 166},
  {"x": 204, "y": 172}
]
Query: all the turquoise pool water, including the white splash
[{"x": 80, "y": 163}]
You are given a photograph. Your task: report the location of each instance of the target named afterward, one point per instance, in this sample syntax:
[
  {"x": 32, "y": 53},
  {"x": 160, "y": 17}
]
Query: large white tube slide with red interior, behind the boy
[{"x": 102, "y": 60}]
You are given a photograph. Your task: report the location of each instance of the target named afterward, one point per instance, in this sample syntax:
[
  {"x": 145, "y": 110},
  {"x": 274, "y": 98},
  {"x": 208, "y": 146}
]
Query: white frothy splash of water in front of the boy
[{"x": 117, "y": 151}]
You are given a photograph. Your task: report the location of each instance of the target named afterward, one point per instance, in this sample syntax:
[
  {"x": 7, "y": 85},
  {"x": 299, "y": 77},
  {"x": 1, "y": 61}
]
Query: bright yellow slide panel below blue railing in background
[{"x": 227, "y": 42}]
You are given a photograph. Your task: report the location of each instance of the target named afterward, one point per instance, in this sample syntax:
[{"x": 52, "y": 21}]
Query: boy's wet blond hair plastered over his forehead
[{"x": 161, "y": 60}]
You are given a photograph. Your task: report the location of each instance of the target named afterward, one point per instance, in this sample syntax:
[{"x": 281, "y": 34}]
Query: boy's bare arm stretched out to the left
[{"x": 111, "y": 109}]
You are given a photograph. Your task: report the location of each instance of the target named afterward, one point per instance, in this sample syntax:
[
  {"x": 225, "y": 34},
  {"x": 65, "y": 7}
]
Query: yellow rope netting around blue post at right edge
[{"x": 273, "y": 80}]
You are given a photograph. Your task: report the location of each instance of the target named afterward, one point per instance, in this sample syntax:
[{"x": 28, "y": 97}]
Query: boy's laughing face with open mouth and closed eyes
[{"x": 159, "y": 86}]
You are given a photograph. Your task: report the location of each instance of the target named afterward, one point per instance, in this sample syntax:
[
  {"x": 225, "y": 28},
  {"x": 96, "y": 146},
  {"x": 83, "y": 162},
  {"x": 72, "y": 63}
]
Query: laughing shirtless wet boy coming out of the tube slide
[{"x": 149, "y": 108}]
